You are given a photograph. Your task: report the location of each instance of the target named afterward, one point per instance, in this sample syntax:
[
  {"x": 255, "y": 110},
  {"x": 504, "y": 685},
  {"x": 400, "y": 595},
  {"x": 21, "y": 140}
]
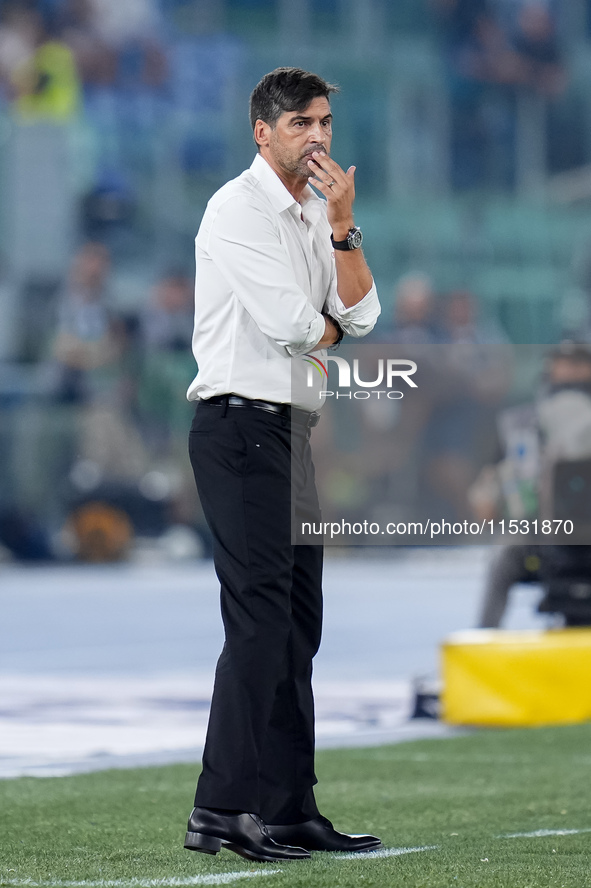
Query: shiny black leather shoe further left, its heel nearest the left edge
[{"x": 246, "y": 834}]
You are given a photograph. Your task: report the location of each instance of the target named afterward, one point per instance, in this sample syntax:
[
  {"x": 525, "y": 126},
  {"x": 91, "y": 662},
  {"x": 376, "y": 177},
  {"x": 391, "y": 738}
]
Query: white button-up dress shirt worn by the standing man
[{"x": 265, "y": 270}]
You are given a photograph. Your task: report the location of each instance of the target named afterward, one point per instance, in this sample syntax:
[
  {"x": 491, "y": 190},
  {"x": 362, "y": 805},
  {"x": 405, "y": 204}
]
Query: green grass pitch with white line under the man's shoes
[{"x": 458, "y": 799}]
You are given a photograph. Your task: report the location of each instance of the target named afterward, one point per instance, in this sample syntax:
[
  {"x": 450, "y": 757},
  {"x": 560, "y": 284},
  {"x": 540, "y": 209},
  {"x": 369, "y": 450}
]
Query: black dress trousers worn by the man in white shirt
[{"x": 259, "y": 751}]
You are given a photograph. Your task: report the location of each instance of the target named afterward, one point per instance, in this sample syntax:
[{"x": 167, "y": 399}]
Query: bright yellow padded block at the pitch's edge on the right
[{"x": 498, "y": 677}]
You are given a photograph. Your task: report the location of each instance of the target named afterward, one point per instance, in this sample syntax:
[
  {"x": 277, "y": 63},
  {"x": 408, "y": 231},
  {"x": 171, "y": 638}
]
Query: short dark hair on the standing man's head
[{"x": 286, "y": 89}]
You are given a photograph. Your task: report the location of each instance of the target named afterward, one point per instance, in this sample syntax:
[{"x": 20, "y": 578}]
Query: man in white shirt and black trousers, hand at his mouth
[{"x": 270, "y": 287}]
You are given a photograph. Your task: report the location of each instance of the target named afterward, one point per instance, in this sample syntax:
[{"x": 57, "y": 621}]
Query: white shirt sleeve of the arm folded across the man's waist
[{"x": 244, "y": 242}]
